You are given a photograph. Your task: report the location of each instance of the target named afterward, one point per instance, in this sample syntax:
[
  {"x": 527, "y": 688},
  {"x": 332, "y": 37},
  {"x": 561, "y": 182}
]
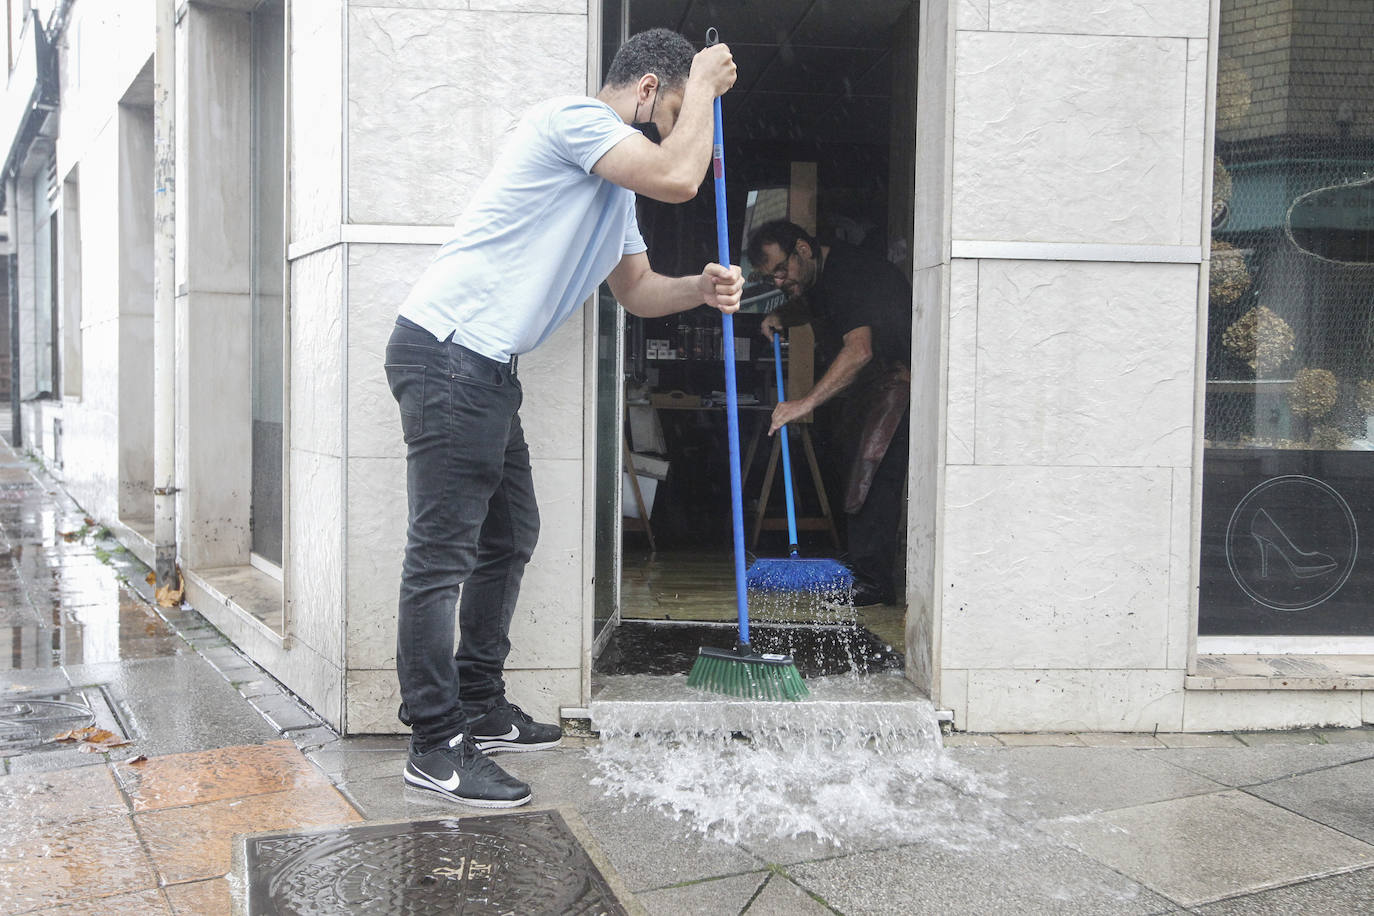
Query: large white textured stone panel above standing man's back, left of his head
[{"x": 433, "y": 93}]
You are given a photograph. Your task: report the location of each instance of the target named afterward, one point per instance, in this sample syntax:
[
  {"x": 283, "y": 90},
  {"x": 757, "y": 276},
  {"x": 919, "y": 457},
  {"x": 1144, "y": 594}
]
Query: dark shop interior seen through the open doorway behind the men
[{"x": 820, "y": 130}]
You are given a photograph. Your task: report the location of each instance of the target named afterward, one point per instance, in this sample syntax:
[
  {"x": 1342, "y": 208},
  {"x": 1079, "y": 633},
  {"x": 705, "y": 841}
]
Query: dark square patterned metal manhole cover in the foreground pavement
[{"x": 521, "y": 865}]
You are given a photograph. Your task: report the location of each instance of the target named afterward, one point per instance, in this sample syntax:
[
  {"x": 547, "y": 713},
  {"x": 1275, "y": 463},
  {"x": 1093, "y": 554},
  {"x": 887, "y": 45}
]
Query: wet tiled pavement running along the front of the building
[{"x": 1217, "y": 825}]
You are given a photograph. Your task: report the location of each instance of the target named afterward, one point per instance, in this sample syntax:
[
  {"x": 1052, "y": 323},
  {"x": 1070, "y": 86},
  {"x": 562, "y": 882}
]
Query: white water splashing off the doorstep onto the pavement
[{"x": 847, "y": 767}]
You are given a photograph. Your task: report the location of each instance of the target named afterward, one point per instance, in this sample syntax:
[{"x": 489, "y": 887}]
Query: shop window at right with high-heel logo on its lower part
[{"x": 1288, "y": 546}]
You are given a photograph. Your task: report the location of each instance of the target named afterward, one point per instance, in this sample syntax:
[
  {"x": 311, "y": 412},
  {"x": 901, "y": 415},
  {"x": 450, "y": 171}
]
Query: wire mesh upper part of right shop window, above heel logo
[{"x": 1291, "y": 330}]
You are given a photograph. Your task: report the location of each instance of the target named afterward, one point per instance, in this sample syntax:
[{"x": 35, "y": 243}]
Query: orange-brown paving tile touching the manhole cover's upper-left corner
[{"x": 190, "y": 844}]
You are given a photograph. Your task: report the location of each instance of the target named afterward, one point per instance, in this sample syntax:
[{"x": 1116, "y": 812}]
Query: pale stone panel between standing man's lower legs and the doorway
[{"x": 548, "y": 630}]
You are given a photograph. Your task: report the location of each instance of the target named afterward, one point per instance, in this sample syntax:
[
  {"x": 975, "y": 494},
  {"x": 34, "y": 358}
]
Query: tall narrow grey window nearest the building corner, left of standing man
[{"x": 269, "y": 277}]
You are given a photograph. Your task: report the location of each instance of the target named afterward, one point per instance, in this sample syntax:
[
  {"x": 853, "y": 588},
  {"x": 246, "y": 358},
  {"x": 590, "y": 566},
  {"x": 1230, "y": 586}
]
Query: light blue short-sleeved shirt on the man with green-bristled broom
[{"x": 538, "y": 238}]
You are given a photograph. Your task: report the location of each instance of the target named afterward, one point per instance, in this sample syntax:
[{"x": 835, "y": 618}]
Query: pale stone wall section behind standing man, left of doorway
[{"x": 431, "y": 95}]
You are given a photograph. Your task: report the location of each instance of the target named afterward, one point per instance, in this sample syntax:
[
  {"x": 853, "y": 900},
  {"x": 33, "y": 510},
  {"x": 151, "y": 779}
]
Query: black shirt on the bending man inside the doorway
[{"x": 859, "y": 289}]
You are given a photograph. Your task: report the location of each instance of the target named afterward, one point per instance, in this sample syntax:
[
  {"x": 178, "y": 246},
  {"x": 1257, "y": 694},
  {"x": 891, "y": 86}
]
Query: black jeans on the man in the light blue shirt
[{"x": 473, "y": 525}]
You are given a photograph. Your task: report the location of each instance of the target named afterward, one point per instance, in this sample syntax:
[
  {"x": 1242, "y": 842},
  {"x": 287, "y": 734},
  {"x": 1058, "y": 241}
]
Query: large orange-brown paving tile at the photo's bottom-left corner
[{"x": 56, "y": 865}]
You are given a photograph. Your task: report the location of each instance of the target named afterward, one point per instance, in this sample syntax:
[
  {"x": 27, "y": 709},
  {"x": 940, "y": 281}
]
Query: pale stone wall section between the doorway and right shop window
[{"x": 1066, "y": 529}]
